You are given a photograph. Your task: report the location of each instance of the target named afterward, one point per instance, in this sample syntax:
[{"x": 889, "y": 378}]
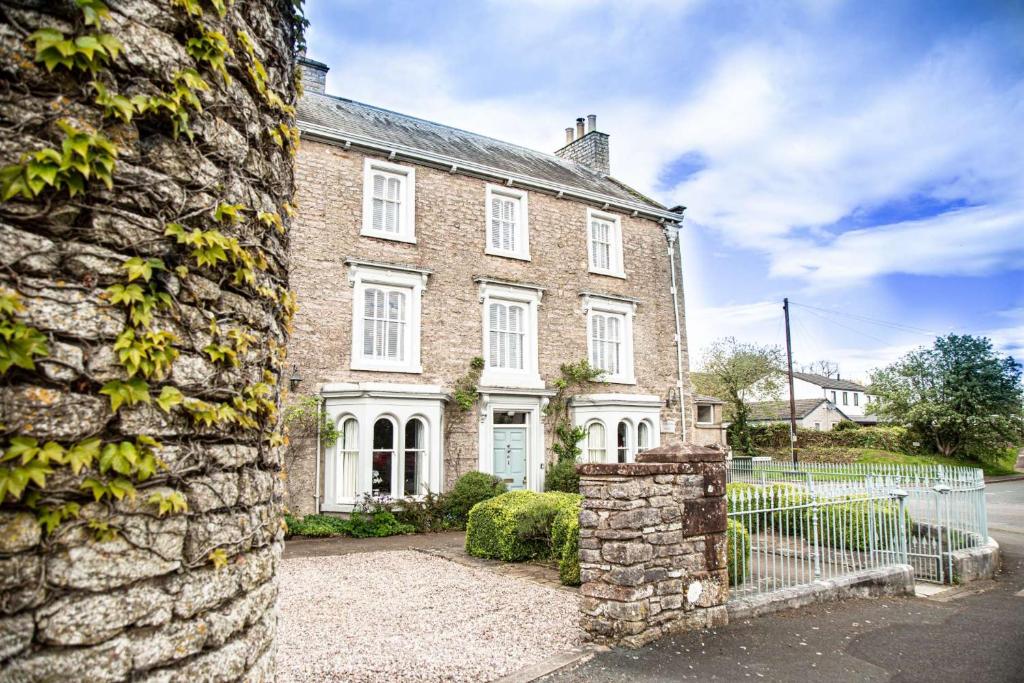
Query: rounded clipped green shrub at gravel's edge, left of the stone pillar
[{"x": 516, "y": 527}]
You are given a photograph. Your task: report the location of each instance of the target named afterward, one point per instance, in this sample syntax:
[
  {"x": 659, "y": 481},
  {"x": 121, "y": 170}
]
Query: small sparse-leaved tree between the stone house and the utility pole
[{"x": 729, "y": 370}]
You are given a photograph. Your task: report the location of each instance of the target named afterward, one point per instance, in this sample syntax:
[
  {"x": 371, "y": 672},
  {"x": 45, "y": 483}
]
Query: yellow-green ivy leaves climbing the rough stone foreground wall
[{"x": 210, "y": 243}]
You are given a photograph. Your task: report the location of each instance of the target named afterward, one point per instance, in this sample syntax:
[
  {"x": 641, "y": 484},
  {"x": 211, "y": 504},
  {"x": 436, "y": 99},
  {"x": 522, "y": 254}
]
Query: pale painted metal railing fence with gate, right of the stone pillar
[{"x": 791, "y": 525}]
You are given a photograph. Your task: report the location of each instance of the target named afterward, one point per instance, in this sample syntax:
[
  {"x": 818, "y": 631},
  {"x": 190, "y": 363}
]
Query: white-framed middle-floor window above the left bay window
[{"x": 387, "y": 317}]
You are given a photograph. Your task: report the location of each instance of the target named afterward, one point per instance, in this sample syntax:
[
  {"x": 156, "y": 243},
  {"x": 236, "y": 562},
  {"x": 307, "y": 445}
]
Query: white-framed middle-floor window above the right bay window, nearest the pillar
[{"x": 610, "y": 337}]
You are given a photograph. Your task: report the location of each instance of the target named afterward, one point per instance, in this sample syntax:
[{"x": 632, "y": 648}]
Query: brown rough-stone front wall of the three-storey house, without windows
[{"x": 450, "y": 243}]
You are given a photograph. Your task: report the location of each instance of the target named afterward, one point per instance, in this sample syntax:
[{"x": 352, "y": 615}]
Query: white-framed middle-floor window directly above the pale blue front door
[{"x": 510, "y": 345}]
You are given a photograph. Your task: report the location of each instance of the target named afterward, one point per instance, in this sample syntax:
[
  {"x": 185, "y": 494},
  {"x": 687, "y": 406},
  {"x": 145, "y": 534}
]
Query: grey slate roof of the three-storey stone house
[{"x": 346, "y": 116}]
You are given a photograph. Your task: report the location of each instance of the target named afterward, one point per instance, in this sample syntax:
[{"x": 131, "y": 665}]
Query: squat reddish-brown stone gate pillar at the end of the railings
[{"x": 653, "y": 547}]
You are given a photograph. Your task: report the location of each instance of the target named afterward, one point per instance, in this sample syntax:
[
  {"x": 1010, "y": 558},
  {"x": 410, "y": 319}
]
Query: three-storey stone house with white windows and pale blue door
[{"x": 418, "y": 247}]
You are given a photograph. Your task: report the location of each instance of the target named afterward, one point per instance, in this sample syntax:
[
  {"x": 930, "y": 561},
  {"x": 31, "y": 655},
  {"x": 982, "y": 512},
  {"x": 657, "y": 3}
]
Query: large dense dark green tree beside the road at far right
[{"x": 960, "y": 396}]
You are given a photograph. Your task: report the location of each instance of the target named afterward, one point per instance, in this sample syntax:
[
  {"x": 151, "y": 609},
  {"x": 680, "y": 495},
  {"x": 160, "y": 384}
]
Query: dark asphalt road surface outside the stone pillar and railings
[{"x": 974, "y": 634}]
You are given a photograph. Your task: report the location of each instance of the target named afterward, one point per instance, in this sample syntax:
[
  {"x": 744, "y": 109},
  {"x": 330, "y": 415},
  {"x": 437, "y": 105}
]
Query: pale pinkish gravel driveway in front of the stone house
[{"x": 404, "y": 616}]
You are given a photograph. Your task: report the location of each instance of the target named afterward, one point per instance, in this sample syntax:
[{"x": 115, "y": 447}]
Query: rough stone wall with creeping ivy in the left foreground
[{"x": 146, "y": 174}]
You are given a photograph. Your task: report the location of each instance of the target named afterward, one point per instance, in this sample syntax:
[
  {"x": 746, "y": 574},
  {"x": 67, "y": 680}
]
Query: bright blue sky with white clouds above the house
[{"x": 864, "y": 159}]
